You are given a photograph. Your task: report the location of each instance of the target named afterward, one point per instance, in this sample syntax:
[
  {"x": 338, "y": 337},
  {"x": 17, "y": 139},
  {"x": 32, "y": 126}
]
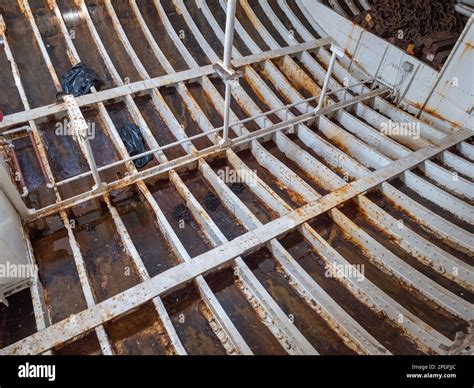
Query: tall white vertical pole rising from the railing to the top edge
[{"x": 229, "y": 40}]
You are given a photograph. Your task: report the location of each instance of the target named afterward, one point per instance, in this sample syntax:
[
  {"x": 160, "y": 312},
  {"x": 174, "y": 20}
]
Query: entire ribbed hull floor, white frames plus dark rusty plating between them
[{"x": 317, "y": 193}]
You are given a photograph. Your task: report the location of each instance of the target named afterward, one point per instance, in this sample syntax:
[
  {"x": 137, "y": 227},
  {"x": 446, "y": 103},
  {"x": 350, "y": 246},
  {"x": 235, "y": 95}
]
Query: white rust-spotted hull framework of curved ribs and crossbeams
[{"x": 369, "y": 158}]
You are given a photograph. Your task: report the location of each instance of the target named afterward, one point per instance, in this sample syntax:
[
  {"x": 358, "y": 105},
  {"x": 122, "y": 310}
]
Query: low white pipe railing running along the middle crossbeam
[{"x": 100, "y": 187}]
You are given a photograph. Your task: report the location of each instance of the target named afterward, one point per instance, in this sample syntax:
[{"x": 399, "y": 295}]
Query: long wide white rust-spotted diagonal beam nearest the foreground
[{"x": 137, "y": 295}]
